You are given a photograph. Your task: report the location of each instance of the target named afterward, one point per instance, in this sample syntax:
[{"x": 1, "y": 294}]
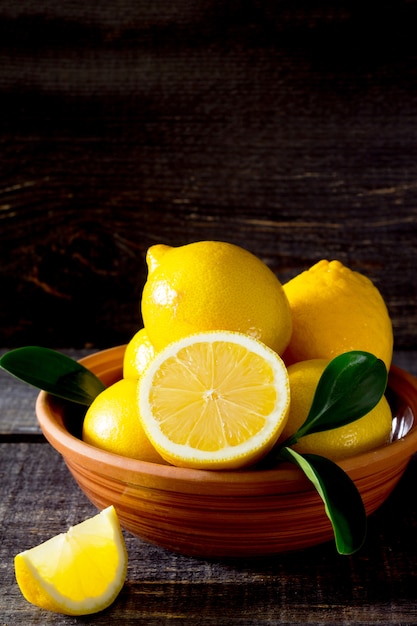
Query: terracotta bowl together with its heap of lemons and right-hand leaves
[{"x": 213, "y": 436}]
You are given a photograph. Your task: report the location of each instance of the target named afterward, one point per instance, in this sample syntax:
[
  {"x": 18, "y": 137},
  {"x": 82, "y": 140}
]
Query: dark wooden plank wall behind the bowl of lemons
[{"x": 287, "y": 127}]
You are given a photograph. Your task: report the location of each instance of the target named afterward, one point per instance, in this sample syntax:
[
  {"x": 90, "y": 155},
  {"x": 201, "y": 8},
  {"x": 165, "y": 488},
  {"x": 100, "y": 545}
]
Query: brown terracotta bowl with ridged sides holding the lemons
[{"x": 223, "y": 513}]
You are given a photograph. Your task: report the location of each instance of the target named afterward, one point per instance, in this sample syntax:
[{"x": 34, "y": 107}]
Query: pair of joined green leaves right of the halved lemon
[{"x": 351, "y": 385}]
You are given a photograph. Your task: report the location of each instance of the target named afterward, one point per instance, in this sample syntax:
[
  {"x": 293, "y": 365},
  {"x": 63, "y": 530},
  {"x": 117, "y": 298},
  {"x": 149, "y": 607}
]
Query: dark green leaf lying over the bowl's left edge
[{"x": 53, "y": 372}]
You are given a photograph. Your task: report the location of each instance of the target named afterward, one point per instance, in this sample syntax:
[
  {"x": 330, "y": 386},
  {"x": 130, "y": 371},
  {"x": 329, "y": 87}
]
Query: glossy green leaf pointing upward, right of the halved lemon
[{"x": 350, "y": 386}]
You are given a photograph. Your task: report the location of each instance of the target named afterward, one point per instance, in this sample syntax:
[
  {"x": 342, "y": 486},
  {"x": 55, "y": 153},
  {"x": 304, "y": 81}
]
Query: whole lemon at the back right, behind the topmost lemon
[{"x": 336, "y": 310}]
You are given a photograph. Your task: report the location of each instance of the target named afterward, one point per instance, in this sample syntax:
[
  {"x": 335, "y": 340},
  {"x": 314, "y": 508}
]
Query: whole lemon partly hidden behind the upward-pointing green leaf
[{"x": 367, "y": 433}]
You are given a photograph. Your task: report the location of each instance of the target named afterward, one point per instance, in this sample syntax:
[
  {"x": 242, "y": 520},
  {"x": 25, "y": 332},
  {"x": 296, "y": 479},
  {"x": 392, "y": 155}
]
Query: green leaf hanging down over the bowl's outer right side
[{"x": 342, "y": 501}]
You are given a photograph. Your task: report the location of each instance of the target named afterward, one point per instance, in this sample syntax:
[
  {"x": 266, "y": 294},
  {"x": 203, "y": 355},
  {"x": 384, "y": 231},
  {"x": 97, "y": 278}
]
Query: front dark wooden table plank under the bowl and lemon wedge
[{"x": 38, "y": 498}]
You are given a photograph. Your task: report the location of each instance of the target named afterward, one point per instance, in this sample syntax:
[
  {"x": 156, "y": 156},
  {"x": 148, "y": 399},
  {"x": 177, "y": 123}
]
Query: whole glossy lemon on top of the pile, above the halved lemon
[{"x": 212, "y": 285}]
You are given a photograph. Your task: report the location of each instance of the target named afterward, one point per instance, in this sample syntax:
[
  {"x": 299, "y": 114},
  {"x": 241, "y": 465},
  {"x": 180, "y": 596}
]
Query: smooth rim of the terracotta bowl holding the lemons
[{"x": 48, "y": 415}]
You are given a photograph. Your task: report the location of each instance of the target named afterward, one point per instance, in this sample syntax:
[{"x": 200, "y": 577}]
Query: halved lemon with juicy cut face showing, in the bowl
[{"x": 216, "y": 400}]
